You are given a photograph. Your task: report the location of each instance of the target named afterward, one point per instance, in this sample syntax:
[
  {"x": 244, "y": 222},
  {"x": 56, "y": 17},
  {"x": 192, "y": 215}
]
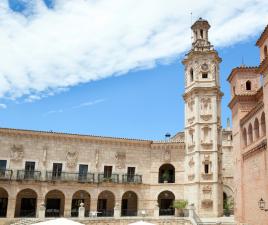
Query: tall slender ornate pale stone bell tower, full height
[{"x": 203, "y": 124}]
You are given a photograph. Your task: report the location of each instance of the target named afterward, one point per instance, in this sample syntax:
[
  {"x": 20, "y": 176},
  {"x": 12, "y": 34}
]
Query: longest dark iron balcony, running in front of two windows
[{"x": 66, "y": 176}]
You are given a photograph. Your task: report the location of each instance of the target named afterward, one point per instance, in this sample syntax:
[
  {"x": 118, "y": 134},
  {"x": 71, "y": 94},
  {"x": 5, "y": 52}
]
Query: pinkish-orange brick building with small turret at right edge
[{"x": 249, "y": 86}]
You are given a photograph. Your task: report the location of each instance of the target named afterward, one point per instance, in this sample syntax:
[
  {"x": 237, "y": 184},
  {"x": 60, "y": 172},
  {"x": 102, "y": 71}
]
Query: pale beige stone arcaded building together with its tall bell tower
[{"x": 127, "y": 177}]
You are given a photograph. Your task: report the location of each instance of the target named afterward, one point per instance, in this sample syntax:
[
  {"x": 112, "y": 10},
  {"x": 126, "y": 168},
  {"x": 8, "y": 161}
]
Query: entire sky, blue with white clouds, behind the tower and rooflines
[{"x": 113, "y": 68}]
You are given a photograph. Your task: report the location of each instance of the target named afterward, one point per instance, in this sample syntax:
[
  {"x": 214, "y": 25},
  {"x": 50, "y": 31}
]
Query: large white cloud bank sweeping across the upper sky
[{"x": 84, "y": 40}]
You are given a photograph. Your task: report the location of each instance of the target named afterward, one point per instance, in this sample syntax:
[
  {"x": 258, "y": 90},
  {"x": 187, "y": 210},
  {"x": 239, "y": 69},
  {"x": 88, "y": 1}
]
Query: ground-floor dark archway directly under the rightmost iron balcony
[{"x": 129, "y": 205}]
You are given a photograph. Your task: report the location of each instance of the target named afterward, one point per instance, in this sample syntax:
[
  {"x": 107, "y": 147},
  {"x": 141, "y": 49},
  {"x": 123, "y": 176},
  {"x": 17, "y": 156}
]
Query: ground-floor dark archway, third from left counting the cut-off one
[{"x": 55, "y": 201}]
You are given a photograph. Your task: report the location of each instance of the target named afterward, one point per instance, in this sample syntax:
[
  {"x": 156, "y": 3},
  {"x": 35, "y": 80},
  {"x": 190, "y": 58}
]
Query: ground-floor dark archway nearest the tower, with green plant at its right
[{"x": 165, "y": 202}]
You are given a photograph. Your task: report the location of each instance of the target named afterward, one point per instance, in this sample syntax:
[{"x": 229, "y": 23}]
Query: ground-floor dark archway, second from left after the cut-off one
[{"x": 26, "y": 203}]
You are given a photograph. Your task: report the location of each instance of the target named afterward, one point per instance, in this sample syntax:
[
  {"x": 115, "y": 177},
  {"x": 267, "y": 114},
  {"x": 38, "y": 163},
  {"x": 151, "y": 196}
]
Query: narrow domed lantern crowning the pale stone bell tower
[{"x": 200, "y": 35}]
